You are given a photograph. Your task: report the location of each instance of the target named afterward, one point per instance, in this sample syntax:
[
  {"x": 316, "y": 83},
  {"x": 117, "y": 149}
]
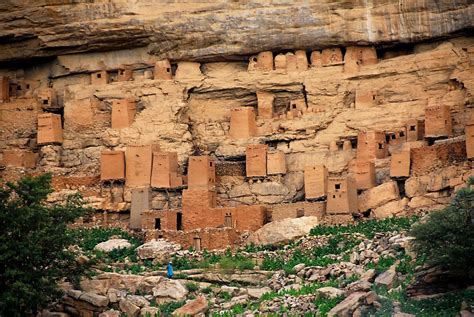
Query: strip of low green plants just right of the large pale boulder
[{"x": 368, "y": 228}]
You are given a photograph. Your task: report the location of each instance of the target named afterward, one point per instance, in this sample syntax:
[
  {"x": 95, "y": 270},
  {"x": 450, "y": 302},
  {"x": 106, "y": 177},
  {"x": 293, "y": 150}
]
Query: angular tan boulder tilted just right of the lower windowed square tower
[{"x": 378, "y": 196}]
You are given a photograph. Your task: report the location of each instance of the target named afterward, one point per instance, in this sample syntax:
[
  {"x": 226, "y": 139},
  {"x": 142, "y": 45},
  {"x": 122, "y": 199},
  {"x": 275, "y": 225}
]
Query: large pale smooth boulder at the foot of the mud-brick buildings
[{"x": 283, "y": 230}]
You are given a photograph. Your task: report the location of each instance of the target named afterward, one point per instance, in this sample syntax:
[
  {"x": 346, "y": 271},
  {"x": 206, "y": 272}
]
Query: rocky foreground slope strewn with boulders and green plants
[{"x": 352, "y": 271}]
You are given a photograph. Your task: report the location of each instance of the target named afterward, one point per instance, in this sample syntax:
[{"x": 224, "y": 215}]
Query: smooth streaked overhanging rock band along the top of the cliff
[{"x": 222, "y": 30}]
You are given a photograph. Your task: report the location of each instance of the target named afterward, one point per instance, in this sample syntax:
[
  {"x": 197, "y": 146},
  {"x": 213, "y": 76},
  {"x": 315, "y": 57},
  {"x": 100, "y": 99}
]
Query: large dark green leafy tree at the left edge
[{"x": 34, "y": 254}]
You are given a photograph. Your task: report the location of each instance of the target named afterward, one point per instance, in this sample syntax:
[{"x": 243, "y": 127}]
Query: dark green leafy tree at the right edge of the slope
[{"x": 446, "y": 238}]
